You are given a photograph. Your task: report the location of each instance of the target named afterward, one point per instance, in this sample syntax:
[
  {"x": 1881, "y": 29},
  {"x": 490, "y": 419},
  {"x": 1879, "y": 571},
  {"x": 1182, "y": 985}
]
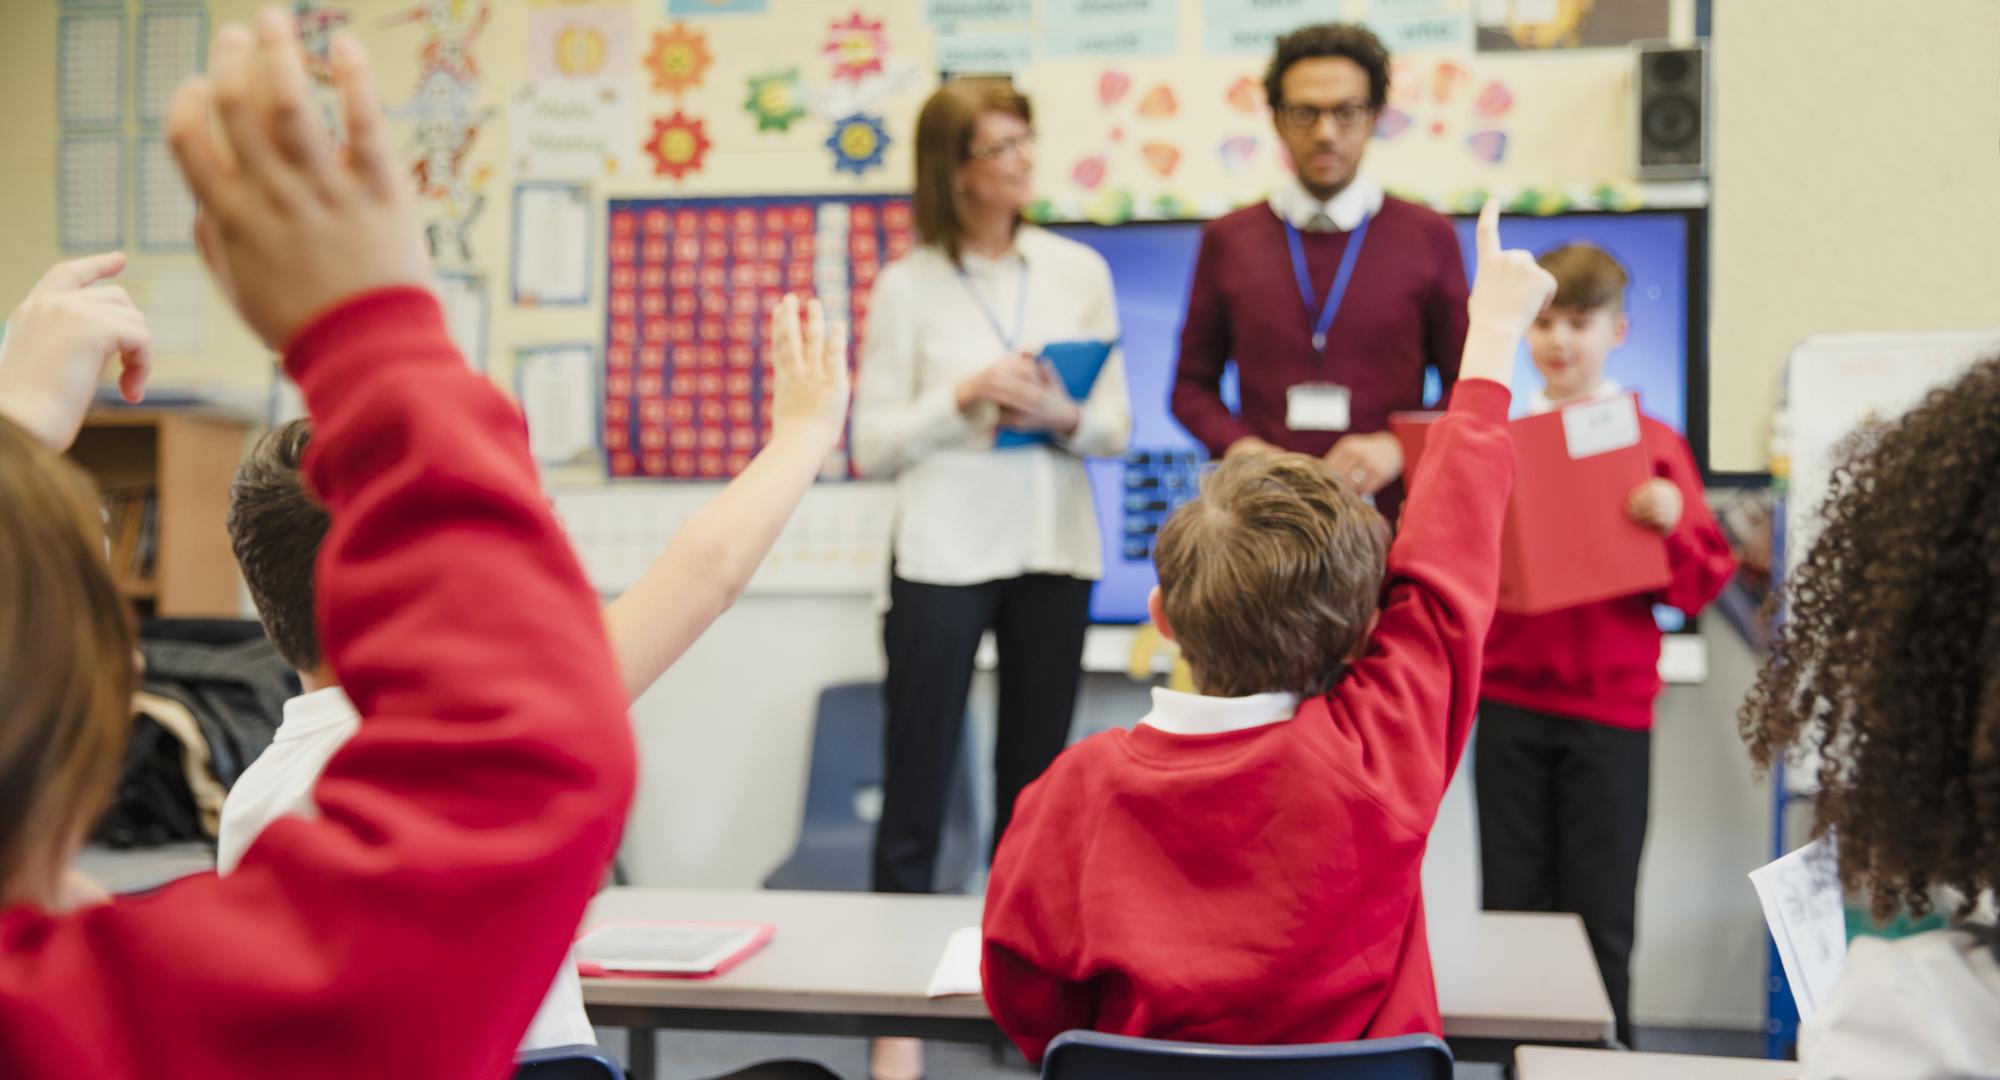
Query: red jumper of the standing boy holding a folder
[{"x": 1601, "y": 661}]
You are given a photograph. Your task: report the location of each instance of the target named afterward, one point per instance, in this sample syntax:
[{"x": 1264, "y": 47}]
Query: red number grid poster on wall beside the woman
[{"x": 691, "y": 287}]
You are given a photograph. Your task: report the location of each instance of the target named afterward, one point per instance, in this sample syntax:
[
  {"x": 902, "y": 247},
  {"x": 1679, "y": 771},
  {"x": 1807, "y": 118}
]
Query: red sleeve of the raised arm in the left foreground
[{"x": 415, "y": 925}]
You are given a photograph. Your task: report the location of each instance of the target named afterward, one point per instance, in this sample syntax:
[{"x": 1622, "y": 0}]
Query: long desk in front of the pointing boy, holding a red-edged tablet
[{"x": 859, "y": 963}]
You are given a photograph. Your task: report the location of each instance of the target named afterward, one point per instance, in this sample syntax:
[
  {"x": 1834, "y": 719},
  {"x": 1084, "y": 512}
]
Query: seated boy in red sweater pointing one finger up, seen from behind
[{"x": 1243, "y": 867}]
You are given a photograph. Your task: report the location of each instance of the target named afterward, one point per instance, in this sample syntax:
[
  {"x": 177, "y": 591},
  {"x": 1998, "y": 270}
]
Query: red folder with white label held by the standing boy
[{"x": 1567, "y": 539}]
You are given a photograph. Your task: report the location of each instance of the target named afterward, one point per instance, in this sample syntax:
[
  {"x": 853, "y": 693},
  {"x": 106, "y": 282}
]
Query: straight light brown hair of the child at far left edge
[{"x": 67, "y": 671}]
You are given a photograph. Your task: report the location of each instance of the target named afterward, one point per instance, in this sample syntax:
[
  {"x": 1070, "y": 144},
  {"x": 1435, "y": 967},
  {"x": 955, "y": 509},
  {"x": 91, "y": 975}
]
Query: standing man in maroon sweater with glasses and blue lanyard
[{"x": 1331, "y": 299}]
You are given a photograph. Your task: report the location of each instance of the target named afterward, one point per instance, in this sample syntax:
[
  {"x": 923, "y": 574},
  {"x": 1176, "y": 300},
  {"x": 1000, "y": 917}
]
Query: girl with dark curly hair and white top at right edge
[{"x": 1889, "y": 667}]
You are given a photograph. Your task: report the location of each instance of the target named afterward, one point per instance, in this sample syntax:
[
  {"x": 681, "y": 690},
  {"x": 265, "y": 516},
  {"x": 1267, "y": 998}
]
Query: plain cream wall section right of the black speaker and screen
[{"x": 1855, "y": 187}]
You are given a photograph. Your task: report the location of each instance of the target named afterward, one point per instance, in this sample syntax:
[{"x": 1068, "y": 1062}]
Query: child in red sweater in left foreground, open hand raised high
[{"x": 413, "y": 925}]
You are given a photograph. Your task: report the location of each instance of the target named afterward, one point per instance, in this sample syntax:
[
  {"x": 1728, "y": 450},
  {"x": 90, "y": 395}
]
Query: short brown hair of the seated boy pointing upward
[{"x": 1271, "y": 577}]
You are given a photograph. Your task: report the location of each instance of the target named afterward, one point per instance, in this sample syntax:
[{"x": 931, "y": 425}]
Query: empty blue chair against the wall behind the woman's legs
[{"x": 837, "y": 841}]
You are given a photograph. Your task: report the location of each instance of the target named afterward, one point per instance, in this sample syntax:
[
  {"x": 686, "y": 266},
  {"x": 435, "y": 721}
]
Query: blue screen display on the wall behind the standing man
[{"x": 1153, "y": 267}]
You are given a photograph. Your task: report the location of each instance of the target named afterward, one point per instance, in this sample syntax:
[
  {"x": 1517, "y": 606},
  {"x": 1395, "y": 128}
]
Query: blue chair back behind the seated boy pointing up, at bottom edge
[{"x": 1107, "y": 1057}]
